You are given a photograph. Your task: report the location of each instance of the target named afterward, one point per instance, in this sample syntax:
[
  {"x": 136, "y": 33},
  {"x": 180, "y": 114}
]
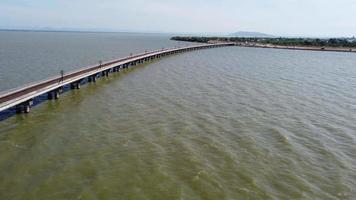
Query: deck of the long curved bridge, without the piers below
[{"x": 27, "y": 93}]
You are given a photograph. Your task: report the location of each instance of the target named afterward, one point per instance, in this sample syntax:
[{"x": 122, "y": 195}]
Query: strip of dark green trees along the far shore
[{"x": 309, "y": 42}]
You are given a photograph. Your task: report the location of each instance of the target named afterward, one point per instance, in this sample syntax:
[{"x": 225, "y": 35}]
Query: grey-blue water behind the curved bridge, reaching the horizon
[{"x": 26, "y": 57}]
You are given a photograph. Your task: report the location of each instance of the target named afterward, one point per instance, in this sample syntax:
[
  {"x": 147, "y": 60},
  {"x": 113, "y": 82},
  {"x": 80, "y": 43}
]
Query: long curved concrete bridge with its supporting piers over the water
[{"x": 22, "y": 98}]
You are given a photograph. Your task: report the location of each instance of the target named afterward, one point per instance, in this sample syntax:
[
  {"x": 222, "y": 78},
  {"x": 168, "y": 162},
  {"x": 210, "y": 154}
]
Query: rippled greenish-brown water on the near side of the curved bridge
[{"x": 225, "y": 123}]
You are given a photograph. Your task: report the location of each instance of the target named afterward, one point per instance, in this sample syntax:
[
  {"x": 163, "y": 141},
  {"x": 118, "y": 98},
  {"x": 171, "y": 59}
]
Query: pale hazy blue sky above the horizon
[{"x": 279, "y": 17}]
